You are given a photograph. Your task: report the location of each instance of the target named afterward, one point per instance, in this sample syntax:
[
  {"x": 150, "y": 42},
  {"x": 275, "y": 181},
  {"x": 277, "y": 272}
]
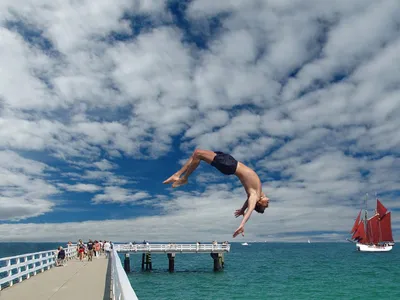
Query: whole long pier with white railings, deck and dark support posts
[{"x": 34, "y": 276}]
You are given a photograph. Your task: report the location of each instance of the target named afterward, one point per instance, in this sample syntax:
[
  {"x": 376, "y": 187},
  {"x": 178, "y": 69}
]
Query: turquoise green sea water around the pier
[{"x": 263, "y": 271}]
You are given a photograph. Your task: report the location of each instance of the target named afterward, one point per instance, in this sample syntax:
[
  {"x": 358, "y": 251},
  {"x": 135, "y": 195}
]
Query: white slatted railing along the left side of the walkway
[{"x": 17, "y": 268}]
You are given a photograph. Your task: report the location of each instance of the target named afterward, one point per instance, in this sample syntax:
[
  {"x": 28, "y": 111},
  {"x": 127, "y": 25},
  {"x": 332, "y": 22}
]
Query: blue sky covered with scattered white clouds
[{"x": 101, "y": 102}]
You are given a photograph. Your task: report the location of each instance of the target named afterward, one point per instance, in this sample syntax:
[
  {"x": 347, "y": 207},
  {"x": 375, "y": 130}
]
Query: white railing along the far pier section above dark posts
[{"x": 173, "y": 248}]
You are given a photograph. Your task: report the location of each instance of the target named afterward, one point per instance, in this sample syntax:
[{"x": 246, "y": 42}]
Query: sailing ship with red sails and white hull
[{"x": 373, "y": 234}]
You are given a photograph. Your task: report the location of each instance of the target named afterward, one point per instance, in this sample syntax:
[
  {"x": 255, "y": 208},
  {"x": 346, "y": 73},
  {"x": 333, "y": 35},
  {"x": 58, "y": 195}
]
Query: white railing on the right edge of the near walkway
[{"x": 121, "y": 288}]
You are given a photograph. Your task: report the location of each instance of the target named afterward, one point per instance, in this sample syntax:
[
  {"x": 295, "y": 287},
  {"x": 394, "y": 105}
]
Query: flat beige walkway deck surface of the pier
[{"x": 76, "y": 280}]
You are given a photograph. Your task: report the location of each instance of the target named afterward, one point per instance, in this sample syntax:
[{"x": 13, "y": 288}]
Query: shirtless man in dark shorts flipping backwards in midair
[{"x": 226, "y": 164}]
